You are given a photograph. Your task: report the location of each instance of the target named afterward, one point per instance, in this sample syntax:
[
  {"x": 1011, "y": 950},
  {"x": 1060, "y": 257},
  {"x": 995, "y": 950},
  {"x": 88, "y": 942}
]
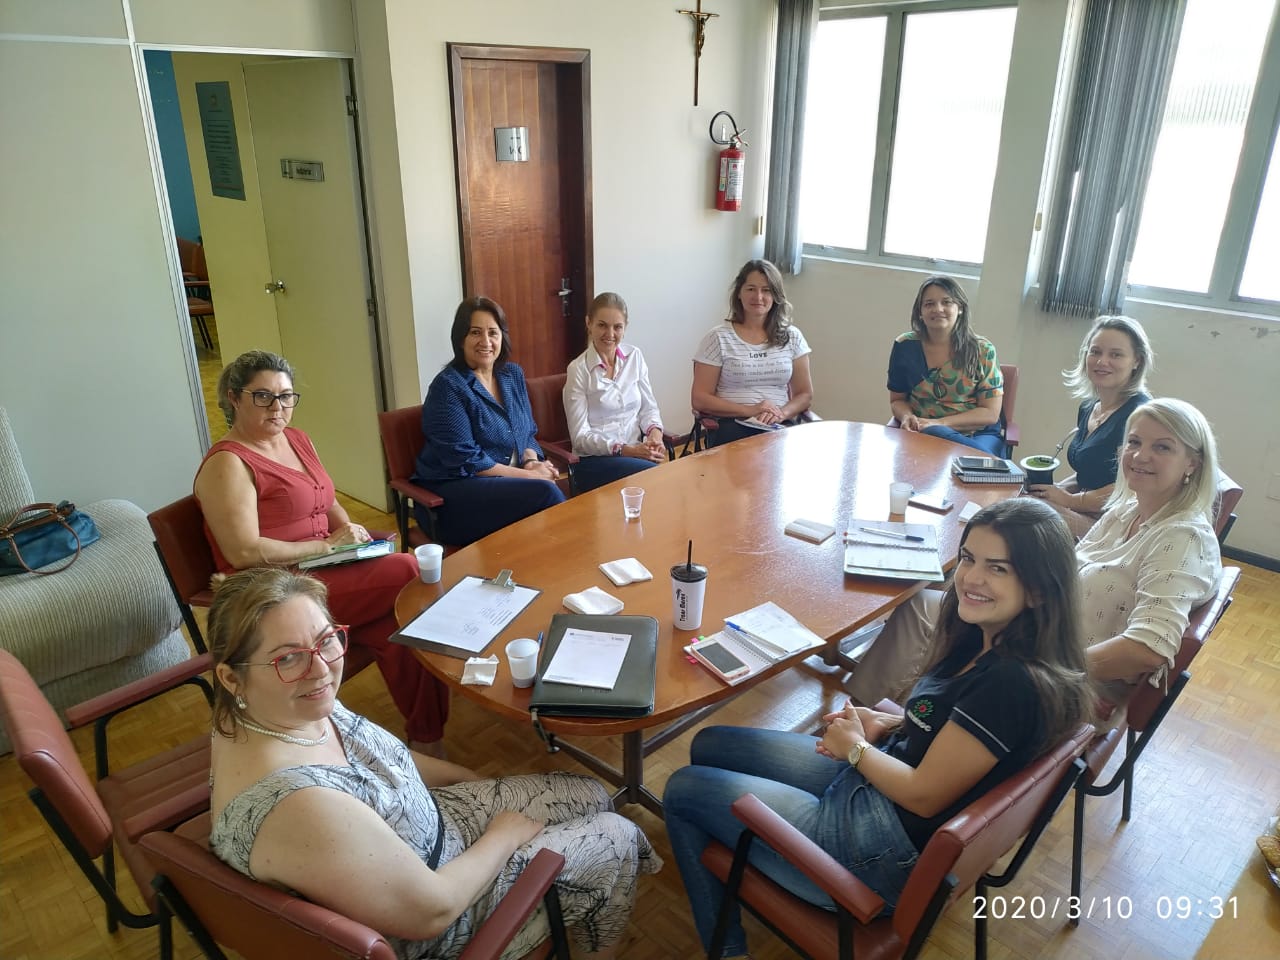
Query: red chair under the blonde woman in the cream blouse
[{"x": 1141, "y": 719}]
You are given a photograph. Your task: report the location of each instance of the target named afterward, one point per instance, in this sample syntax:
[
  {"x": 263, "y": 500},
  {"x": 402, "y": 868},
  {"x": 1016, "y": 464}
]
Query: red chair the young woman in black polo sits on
[{"x": 961, "y": 854}]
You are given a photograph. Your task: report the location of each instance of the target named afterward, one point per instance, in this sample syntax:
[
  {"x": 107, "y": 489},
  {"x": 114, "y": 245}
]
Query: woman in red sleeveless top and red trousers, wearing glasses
[{"x": 268, "y": 501}]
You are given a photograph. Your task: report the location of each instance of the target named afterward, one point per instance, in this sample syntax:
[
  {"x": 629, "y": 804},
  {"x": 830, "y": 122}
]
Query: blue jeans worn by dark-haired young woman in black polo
[{"x": 828, "y": 801}]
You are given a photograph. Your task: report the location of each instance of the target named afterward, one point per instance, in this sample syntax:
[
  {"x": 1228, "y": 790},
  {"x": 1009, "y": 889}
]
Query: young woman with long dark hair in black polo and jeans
[{"x": 1008, "y": 683}]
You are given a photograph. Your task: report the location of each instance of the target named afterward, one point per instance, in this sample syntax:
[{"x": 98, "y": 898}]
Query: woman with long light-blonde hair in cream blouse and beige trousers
[{"x": 1144, "y": 566}]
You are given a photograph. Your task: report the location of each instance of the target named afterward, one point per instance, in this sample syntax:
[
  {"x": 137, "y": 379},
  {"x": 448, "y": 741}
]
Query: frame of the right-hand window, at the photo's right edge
[{"x": 1242, "y": 209}]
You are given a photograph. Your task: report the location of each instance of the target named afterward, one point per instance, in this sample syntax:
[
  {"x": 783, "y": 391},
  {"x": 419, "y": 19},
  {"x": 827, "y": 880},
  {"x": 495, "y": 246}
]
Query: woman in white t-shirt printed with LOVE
[{"x": 755, "y": 365}]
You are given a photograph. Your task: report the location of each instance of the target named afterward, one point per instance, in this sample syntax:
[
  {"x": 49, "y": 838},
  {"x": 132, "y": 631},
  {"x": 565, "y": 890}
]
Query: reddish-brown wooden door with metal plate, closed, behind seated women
[{"x": 527, "y": 226}]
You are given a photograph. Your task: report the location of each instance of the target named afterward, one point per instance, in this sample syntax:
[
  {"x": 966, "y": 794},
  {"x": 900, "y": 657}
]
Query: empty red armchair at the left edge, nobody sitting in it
[{"x": 124, "y": 806}]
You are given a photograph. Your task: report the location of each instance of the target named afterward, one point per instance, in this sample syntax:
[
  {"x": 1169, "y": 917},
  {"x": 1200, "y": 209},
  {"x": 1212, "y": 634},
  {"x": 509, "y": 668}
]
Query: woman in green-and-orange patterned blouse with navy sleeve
[{"x": 944, "y": 380}]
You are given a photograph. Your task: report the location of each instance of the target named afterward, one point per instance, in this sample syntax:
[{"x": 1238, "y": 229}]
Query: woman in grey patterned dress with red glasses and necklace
[{"x": 322, "y": 802}]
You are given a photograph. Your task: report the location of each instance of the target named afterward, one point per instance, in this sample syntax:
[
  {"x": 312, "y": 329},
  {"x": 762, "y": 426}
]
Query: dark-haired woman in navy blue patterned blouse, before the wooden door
[{"x": 481, "y": 454}]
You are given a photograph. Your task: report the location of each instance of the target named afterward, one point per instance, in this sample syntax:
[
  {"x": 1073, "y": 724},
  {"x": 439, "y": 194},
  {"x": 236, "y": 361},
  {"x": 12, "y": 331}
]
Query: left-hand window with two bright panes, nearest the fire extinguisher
[{"x": 911, "y": 184}]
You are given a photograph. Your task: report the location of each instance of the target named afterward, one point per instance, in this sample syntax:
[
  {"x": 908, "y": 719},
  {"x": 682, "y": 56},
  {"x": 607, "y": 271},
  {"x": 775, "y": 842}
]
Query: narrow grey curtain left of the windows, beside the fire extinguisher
[{"x": 798, "y": 20}]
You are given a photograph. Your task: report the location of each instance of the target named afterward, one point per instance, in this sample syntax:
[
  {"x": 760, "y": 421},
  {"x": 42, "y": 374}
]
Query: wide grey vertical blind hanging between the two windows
[{"x": 1122, "y": 80}]
